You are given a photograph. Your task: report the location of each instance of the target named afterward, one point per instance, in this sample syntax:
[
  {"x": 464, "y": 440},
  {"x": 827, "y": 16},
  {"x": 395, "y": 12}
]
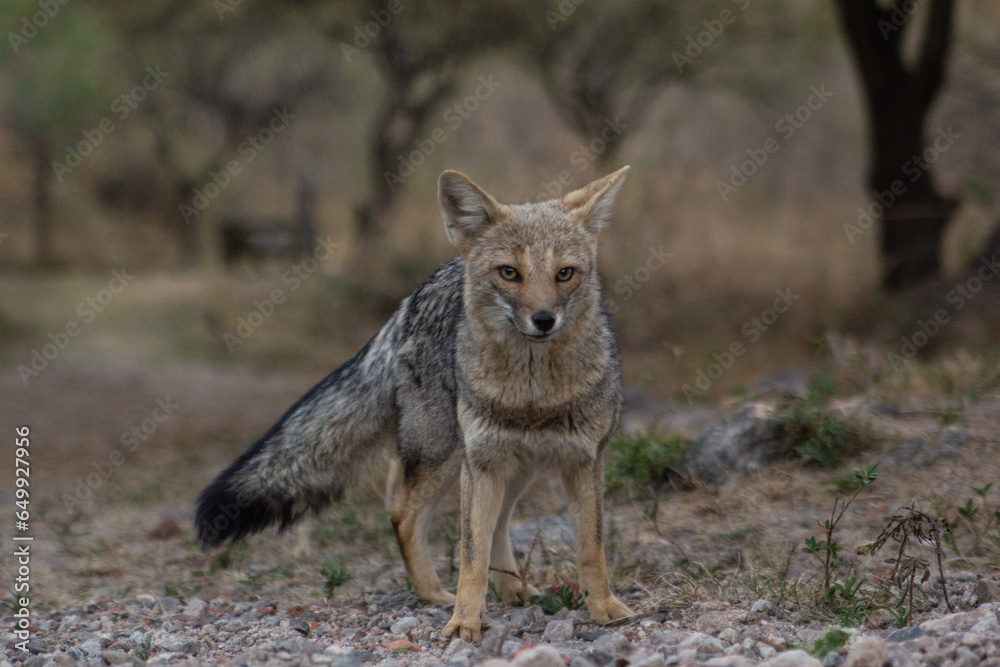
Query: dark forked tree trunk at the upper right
[{"x": 912, "y": 212}]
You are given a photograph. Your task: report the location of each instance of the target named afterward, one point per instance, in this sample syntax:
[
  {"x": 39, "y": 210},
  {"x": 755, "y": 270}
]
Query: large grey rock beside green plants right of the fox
[{"x": 743, "y": 442}]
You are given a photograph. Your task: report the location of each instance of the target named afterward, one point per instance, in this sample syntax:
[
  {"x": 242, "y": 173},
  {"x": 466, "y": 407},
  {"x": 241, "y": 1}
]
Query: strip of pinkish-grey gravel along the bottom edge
[{"x": 393, "y": 629}]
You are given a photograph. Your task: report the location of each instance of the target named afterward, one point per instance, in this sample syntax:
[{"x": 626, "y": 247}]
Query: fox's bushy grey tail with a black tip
[{"x": 305, "y": 461}]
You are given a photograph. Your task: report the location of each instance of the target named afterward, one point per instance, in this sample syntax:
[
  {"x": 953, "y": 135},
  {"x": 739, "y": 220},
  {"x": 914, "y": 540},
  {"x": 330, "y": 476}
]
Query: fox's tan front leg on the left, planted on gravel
[{"x": 482, "y": 496}]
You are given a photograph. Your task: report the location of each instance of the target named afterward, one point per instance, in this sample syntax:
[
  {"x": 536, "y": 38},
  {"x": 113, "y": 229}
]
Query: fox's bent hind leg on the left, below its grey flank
[{"x": 422, "y": 490}]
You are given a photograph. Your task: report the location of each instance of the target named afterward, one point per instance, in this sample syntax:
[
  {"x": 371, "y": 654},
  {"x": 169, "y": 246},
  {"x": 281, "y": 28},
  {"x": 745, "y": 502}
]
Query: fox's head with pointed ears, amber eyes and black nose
[{"x": 531, "y": 268}]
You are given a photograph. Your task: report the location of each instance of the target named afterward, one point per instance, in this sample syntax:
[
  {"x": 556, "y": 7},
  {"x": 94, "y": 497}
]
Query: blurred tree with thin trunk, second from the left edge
[{"x": 238, "y": 73}]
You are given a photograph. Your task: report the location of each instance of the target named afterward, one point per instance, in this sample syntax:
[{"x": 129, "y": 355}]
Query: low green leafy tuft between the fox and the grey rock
[{"x": 644, "y": 459}]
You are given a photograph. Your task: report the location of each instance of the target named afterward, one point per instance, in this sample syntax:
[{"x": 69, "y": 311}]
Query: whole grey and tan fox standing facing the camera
[{"x": 501, "y": 365}]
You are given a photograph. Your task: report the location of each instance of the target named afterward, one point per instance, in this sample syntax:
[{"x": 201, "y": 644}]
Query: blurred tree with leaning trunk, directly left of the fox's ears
[{"x": 419, "y": 49}]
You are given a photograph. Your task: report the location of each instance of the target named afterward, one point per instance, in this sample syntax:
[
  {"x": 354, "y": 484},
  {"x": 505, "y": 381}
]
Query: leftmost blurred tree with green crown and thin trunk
[{"x": 56, "y": 81}]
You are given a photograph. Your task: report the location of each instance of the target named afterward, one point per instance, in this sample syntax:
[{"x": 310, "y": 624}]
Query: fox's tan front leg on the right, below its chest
[{"x": 585, "y": 489}]
